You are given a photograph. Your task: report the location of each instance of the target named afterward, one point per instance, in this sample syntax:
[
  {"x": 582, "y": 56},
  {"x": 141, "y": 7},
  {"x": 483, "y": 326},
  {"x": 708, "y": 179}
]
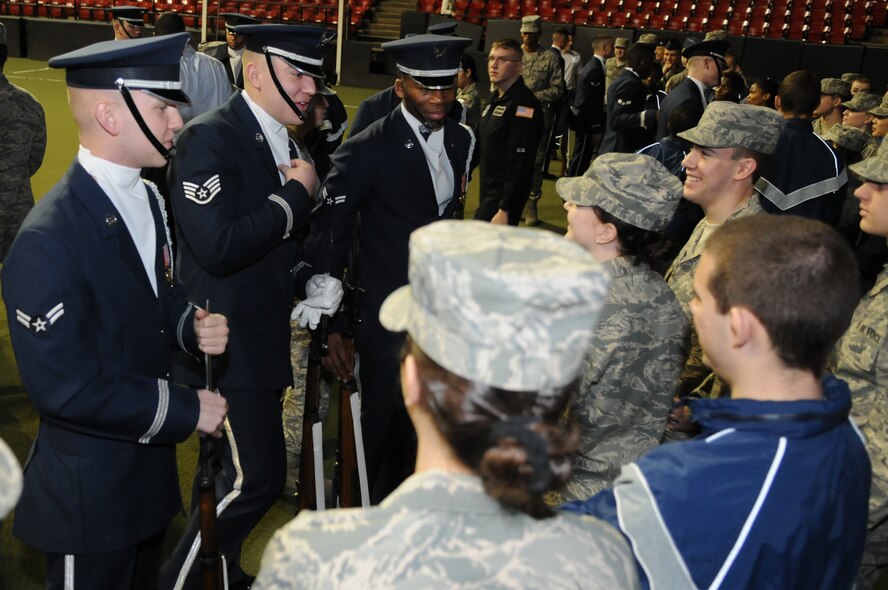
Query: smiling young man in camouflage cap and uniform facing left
[{"x": 730, "y": 145}]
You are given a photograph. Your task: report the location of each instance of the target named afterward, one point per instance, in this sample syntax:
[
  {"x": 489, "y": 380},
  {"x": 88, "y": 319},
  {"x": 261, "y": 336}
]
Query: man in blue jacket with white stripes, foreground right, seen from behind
[{"x": 773, "y": 494}]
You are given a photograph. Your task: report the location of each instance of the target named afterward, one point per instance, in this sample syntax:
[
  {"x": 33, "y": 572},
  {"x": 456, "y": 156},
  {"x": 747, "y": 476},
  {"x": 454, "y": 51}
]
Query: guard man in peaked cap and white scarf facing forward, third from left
[{"x": 404, "y": 171}]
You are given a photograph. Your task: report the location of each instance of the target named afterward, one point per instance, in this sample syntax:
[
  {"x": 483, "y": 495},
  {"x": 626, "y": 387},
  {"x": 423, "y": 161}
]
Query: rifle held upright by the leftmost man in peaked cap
[{"x": 211, "y": 574}]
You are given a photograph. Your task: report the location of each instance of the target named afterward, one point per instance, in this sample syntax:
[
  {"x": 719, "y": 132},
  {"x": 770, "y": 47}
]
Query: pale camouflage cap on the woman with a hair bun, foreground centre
[{"x": 503, "y": 306}]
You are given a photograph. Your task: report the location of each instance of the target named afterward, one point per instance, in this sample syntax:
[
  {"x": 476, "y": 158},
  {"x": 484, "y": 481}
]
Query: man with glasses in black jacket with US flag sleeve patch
[{"x": 509, "y": 131}]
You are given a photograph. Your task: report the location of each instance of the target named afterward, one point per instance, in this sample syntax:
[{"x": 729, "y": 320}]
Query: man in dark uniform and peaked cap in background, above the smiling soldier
[{"x": 706, "y": 60}]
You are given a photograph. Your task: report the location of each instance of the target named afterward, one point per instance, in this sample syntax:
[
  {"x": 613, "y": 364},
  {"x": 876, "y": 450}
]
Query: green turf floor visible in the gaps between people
[{"x": 20, "y": 567}]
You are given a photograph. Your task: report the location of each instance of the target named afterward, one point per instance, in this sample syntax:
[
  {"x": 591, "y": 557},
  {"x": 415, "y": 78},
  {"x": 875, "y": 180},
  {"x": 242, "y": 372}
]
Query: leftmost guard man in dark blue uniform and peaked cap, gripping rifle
[{"x": 95, "y": 311}]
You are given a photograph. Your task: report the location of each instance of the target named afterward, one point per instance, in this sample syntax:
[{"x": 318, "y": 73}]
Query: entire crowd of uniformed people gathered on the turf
[{"x": 690, "y": 389}]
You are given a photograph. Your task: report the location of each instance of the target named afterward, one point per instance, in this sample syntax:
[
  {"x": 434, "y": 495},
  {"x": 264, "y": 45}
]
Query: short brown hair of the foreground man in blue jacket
[{"x": 797, "y": 275}]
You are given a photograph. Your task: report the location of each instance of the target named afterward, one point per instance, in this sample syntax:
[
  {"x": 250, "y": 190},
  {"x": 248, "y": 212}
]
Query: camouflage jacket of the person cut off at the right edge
[{"x": 861, "y": 359}]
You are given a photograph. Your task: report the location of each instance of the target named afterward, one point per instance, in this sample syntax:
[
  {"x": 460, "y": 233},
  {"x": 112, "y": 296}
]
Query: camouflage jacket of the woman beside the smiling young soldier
[{"x": 630, "y": 376}]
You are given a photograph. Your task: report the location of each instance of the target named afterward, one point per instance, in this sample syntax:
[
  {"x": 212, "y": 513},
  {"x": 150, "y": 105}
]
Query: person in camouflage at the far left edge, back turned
[{"x": 22, "y": 144}]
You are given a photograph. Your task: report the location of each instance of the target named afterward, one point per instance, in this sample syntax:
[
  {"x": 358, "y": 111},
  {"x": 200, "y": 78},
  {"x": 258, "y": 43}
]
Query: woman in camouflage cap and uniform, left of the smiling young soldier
[{"x": 616, "y": 211}]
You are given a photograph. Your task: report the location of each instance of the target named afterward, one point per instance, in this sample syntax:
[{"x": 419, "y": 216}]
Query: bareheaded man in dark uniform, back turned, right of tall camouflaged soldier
[{"x": 588, "y": 108}]
